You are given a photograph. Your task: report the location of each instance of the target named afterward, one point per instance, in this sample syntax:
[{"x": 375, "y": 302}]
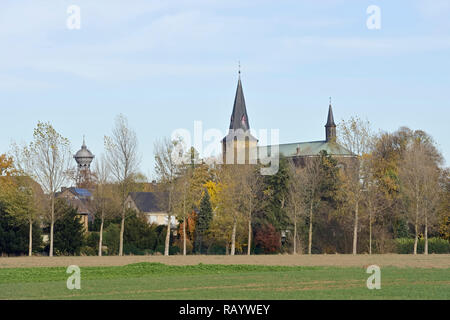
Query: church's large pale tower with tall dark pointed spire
[{"x": 239, "y": 146}]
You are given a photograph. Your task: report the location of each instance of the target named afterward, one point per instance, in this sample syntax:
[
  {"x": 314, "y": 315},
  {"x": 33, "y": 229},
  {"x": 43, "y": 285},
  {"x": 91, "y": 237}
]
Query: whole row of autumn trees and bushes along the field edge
[{"x": 392, "y": 196}]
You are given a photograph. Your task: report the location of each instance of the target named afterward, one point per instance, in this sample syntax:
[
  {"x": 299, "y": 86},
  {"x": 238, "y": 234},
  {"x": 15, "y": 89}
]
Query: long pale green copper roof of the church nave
[{"x": 312, "y": 148}]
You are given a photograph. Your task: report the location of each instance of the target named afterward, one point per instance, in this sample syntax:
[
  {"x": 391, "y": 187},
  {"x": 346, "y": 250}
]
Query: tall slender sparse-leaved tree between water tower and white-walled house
[{"x": 122, "y": 157}]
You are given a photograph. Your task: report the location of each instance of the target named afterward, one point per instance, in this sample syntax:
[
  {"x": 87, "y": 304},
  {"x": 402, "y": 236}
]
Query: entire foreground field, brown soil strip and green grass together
[{"x": 225, "y": 277}]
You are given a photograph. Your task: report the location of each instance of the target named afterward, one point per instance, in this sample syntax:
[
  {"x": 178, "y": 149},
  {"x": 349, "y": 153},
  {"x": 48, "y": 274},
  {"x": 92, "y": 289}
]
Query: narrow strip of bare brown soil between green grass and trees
[{"x": 419, "y": 261}]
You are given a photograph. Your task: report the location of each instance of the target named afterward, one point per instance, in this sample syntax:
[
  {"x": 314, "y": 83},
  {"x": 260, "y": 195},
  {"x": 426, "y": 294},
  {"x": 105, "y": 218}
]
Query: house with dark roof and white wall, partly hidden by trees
[{"x": 150, "y": 205}]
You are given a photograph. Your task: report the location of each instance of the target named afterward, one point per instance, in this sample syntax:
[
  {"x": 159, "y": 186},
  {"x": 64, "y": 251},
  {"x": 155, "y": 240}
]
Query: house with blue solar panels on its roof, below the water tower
[{"x": 80, "y": 199}]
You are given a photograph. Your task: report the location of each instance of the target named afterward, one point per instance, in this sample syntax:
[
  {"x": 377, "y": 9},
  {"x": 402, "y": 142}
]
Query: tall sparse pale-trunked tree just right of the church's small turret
[{"x": 355, "y": 135}]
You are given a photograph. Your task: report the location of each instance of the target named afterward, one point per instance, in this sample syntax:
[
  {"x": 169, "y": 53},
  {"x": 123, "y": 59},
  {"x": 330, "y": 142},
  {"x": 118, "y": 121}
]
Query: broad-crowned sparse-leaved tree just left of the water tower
[{"x": 47, "y": 160}]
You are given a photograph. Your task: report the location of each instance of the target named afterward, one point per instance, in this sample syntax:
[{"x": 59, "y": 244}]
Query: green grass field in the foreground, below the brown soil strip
[{"x": 159, "y": 281}]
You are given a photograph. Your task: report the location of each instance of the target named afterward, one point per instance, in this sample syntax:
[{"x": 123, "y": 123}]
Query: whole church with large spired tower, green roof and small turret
[{"x": 239, "y": 138}]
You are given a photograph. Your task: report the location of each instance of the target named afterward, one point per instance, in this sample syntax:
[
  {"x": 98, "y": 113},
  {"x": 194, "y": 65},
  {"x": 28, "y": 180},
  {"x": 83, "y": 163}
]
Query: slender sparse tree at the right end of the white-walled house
[{"x": 167, "y": 160}]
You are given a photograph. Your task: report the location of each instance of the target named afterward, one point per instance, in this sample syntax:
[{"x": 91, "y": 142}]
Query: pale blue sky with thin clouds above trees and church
[{"x": 165, "y": 64}]
